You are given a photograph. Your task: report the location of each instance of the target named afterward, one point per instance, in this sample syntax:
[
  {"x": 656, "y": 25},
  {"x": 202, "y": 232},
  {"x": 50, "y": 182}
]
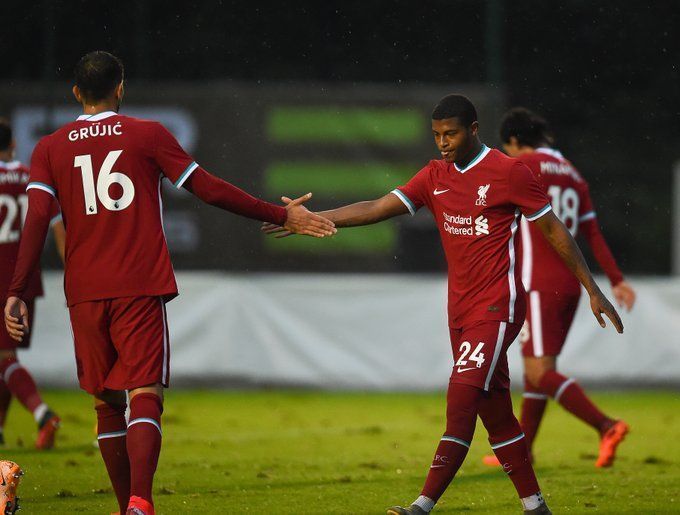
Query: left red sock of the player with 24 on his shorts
[{"x": 461, "y": 416}]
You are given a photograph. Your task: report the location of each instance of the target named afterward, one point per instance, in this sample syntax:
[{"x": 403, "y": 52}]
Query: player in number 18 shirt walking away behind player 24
[{"x": 553, "y": 291}]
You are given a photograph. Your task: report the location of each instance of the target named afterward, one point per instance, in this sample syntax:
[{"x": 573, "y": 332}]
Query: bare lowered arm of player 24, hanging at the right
[{"x": 561, "y": 240}]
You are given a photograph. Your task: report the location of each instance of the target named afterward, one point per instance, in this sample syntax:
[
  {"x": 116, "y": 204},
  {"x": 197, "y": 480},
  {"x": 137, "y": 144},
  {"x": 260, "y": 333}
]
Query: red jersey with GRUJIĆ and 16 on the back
[{"x": 106, "y": 171}]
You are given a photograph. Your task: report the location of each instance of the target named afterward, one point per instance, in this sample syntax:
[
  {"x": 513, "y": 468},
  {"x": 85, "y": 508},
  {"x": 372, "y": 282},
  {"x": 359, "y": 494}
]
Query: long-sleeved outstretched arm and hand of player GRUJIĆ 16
[{"x": 294, "y": 217}]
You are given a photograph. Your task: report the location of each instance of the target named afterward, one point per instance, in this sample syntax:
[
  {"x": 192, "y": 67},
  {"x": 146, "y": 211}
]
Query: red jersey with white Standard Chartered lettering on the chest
[{"x": 477, "y": 210}]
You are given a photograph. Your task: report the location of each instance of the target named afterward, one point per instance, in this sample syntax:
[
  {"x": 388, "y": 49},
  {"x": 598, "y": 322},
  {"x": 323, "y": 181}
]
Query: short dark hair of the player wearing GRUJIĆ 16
[{"x": 97, "y": 75}]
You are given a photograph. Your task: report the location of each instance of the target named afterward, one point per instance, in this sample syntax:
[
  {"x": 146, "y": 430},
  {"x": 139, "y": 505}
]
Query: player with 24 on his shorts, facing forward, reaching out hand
[{"x": 477, "y": 196}]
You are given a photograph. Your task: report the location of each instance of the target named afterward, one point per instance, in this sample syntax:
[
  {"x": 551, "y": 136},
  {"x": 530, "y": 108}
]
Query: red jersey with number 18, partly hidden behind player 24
[{"x": 542, "y": 267}]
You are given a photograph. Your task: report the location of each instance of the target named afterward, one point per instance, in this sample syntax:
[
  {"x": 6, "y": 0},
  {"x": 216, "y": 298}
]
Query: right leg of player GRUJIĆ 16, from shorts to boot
[{"x": 138, "y": 328}]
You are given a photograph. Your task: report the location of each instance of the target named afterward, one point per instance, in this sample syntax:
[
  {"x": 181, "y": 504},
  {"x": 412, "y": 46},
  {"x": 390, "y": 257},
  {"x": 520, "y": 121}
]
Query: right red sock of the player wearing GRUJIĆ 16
[{"x": 144, "y": 443}]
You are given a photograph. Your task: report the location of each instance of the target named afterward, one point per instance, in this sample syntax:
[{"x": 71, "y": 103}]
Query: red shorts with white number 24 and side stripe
[{"x": 480, "y": 354}]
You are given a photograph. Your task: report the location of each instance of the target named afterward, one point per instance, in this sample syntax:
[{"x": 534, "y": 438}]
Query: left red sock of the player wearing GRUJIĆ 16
[{"x": 111, "y": 430}]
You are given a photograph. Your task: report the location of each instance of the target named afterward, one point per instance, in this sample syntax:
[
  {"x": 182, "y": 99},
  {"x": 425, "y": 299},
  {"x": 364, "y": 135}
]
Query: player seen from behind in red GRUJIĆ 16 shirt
[{"x": 106, "y": 170}]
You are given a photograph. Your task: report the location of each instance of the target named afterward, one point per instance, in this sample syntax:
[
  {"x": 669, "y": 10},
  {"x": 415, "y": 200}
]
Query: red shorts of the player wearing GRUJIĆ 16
[{"x": 121, "y": 343}]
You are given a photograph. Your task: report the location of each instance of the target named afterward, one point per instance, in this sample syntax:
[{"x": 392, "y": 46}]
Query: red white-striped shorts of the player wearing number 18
[{"x": 549, "y": 317}]
